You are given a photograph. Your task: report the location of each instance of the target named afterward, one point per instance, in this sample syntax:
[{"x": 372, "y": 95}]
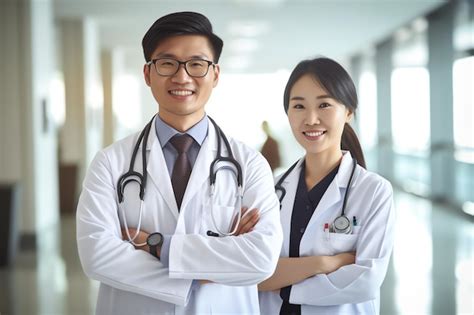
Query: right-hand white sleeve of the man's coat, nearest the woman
[{"x": 236, "y": 260}]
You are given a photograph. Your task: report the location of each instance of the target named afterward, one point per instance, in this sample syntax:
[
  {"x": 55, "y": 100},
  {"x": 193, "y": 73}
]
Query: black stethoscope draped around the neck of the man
[{"x": 141, "y": 178}]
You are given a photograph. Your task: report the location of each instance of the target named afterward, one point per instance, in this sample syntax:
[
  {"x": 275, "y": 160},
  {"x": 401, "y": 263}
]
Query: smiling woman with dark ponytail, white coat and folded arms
[{"x": 335, "y": 251}]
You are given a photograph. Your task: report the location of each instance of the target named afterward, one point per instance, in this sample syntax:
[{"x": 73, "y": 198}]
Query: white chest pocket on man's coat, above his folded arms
[{"x": 217, "y": 219}]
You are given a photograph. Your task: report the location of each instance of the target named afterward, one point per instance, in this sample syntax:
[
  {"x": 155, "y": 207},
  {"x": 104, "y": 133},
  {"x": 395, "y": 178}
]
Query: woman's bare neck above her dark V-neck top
[{"x": 319, "y": 165}]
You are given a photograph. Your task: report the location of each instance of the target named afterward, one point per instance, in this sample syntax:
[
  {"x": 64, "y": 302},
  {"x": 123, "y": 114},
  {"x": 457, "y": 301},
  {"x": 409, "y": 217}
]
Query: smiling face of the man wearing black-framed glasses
[{"x": 181, "y": 98}]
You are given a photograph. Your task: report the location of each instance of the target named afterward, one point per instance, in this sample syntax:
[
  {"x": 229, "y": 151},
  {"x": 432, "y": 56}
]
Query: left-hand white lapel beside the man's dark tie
[{"x": 158, "y": 171}]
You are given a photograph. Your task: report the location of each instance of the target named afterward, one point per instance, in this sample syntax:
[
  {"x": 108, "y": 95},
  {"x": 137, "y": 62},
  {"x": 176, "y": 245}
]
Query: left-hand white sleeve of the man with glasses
[{"x": 105, "y": 257}]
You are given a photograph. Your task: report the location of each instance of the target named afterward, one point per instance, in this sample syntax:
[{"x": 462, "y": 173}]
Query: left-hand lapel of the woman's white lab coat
[{"x": 290, "y": 184}]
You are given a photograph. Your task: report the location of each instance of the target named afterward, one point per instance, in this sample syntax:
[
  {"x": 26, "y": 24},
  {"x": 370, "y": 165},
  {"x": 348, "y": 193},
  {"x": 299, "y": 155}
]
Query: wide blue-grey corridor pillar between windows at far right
[{"x": 440, "y": 67}]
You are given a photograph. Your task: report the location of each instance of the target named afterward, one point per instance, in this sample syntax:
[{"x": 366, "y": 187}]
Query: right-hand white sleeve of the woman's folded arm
[{"x": 361, "y": 281}]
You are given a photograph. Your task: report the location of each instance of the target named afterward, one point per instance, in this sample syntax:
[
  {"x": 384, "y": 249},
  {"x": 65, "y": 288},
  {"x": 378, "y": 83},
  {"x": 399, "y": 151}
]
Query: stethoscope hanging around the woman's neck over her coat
[{"x": 341, "y": 224}]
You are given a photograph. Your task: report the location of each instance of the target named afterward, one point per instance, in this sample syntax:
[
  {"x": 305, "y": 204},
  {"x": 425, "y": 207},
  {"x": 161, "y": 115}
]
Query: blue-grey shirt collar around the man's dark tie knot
[{"x": 165, "y": 132}]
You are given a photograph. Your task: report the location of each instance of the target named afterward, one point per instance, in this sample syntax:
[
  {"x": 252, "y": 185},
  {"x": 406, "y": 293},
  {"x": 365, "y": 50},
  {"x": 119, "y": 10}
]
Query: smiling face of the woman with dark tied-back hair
[{"x": 316, "y": 119}]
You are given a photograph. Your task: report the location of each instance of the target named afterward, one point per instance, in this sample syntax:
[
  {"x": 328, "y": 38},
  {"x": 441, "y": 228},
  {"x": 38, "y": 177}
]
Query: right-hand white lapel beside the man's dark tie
[{"x": 200, "y": 172}]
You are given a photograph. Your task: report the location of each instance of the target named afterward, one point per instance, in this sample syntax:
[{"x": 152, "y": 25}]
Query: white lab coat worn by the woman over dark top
[{"x": 352, "y": 289}]
